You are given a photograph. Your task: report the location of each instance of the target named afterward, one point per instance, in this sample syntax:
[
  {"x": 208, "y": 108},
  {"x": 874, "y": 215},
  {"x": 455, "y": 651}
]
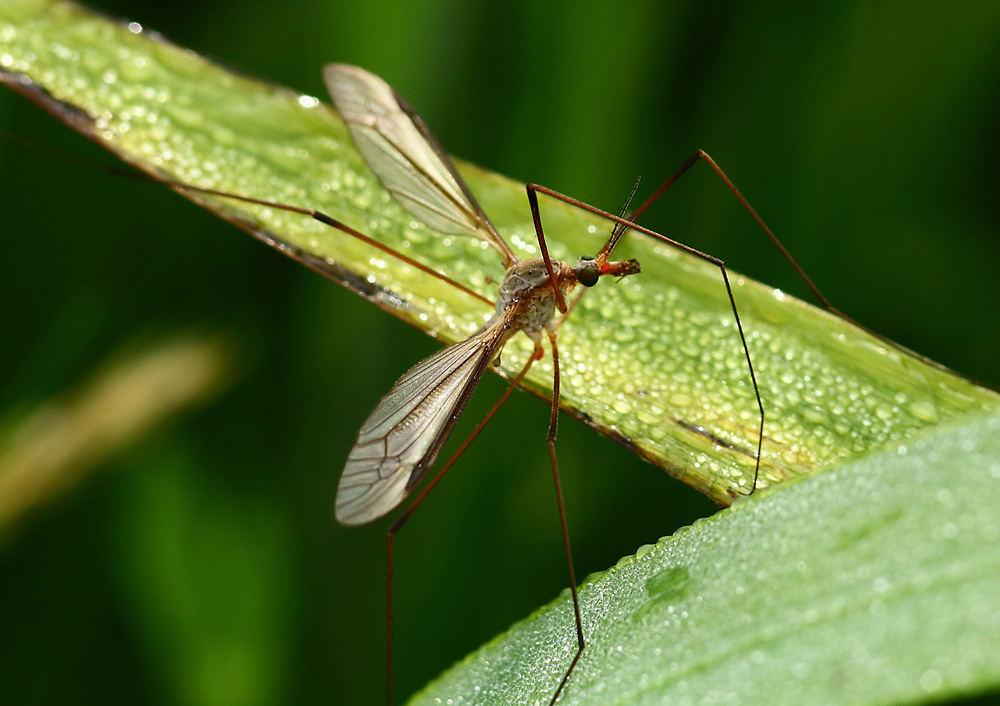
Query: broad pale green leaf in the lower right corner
[{"x": 872, "y": 583}]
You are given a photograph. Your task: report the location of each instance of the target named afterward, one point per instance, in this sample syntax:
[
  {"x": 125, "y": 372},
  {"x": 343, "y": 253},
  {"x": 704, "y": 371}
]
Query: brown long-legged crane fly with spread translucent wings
[{"x": 401, "y": 438}]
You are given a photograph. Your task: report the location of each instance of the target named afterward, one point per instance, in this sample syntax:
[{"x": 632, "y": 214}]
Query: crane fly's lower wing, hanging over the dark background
[{"x": 402, "y": 436}]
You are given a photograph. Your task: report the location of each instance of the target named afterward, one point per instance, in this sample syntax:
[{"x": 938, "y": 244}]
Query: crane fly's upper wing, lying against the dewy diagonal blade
[{"x": 406, "y": 157}]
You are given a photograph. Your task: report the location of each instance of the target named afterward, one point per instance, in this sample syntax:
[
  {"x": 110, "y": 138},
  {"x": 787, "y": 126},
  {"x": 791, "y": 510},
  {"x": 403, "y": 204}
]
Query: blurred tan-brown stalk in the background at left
[{"x": 57, "y": 444}]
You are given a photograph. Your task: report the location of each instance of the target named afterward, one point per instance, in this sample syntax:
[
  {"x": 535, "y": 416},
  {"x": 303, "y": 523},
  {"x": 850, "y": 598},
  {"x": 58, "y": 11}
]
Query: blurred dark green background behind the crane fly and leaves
[{"x": 203, "y": 565}]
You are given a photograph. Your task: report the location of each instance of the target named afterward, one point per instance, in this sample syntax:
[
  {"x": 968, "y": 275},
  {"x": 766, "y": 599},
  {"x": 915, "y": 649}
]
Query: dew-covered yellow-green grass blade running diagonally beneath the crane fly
[{"x": 653, "y": 362}]
